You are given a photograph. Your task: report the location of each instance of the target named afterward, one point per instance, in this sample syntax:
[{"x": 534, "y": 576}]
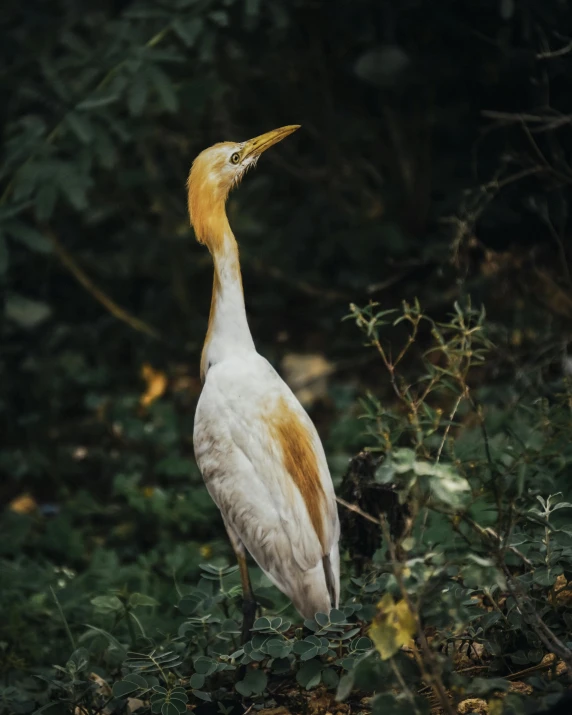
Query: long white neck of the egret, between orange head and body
[{"x": 228, "y": 332}]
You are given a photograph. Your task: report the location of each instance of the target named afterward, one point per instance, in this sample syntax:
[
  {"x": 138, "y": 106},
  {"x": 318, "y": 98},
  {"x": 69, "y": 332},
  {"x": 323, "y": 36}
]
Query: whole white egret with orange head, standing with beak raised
[{"x": 257, "y": 449}]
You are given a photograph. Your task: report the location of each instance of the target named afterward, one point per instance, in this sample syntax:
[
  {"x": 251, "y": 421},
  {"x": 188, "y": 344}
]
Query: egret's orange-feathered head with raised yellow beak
[{"x": 216, "y": 171}]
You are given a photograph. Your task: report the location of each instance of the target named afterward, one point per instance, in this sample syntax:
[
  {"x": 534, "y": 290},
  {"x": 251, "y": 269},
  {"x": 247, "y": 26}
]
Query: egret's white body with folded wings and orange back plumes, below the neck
[{"x": 264, "y": 465}]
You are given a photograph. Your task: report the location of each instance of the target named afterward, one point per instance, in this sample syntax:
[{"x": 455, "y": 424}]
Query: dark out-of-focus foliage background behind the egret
[{"x": 433, "y": 162}]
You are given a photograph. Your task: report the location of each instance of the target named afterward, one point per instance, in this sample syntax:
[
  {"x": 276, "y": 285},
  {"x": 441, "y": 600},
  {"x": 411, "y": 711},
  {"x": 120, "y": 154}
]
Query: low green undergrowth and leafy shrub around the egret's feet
[{"x": 465, "y": 605}]
